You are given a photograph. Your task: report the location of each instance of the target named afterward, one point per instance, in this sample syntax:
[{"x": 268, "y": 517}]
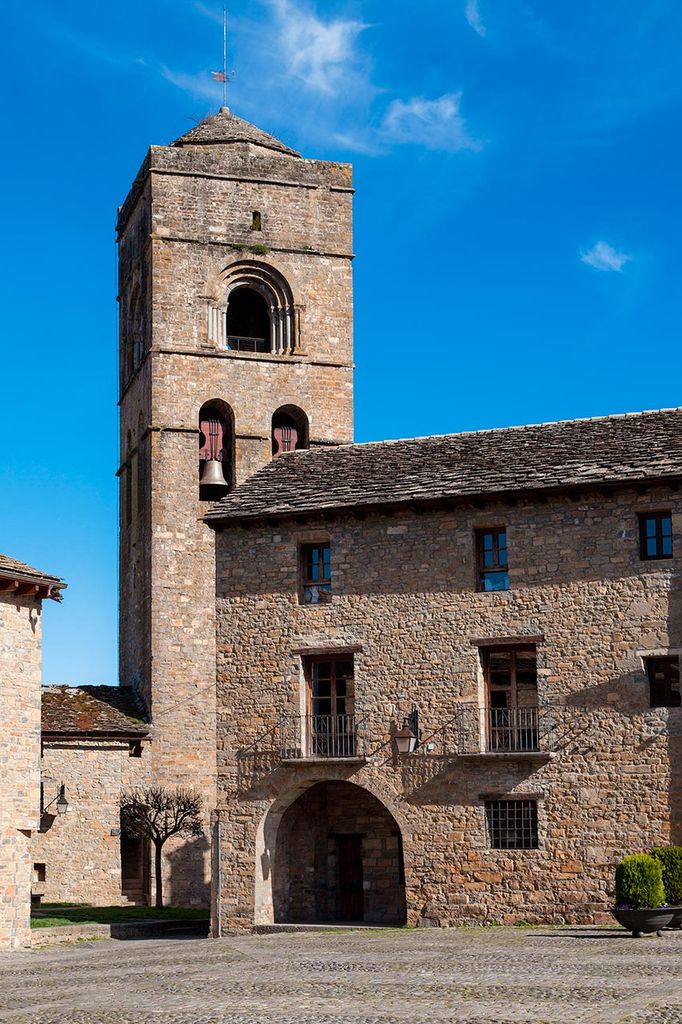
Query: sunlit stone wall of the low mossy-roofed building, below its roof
[{"x": 81, "y": 850}]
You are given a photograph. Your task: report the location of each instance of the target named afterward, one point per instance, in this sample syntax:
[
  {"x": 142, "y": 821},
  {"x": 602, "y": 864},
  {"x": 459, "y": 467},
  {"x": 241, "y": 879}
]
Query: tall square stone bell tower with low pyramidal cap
[{"x": 236, "y": 346}]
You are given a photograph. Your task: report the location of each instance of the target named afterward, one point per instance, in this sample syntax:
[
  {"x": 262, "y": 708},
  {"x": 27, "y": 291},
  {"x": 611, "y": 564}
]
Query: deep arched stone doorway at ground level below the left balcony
[{"x": 338, "y": 859}]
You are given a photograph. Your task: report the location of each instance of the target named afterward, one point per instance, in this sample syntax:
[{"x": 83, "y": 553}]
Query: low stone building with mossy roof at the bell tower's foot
[{"x": 95, "y": 747}]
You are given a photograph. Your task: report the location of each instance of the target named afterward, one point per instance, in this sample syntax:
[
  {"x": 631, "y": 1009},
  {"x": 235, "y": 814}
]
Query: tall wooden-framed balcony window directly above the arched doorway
[{"x": 331, "y": 721}]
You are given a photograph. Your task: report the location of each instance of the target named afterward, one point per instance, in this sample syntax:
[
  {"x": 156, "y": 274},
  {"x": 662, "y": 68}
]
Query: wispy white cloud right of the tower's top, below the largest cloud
[{"x": 437, "y": 124}]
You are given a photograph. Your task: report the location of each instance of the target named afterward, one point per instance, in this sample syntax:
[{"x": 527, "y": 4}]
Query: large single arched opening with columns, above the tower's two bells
[{"x": 255, "y": 313}]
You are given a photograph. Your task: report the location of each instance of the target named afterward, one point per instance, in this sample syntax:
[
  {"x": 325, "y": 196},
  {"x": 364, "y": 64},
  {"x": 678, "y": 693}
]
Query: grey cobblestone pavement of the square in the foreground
[{"x": 482, "y": 976}]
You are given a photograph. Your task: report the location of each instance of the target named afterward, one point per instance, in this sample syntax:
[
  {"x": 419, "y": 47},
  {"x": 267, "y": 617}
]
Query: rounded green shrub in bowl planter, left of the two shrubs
[{"x": 641, "y": 895}]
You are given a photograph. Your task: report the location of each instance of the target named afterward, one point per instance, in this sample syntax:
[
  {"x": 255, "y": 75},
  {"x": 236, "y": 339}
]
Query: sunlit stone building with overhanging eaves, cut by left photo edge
[{"x": 23, "y": 591}]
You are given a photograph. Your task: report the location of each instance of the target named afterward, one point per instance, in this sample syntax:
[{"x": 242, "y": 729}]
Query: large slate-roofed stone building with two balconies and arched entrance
[{"x": 513, "y": 601}]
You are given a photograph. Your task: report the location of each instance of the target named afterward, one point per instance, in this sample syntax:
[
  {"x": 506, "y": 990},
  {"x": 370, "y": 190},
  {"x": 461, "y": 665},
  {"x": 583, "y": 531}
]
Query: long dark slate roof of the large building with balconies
[{"x": 608, "y": 450}]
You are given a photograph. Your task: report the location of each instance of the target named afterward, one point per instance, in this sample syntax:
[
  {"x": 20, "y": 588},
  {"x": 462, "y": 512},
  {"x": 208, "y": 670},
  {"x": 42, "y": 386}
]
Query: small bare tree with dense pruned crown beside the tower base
[{"x": 157, "y": 814}]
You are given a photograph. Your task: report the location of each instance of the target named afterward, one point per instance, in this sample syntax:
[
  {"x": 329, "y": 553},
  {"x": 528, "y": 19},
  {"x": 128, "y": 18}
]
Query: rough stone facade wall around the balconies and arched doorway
[{"x": 405, "y": 604}]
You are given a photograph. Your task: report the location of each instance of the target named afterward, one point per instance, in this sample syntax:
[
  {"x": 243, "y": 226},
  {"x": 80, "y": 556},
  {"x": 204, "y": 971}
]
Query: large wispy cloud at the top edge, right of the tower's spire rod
[{"x": 321, "y": 54}]
